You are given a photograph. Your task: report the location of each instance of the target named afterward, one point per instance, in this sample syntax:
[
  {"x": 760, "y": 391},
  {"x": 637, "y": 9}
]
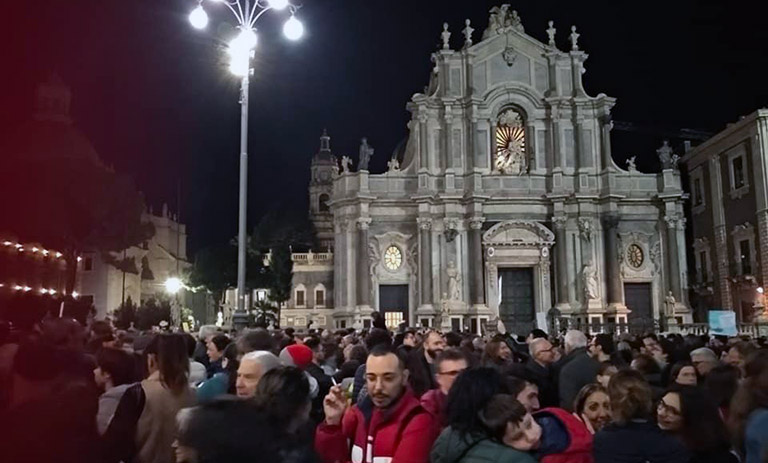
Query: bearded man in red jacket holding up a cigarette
[{"x": 387, "y": 426}]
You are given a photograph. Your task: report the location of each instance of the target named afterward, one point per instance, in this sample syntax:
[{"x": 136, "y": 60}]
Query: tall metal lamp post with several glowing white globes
[{"x": 240, "y": 52}]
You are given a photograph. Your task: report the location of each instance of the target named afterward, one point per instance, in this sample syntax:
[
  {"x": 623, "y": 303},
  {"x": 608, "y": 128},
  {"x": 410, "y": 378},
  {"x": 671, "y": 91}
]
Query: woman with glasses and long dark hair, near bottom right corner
[{"x": 692, "y": 417}]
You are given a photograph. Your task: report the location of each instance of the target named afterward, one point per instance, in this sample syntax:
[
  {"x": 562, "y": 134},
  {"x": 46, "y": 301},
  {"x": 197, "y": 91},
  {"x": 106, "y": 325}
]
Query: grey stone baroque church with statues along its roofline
[{"x": 505, "y": 202}]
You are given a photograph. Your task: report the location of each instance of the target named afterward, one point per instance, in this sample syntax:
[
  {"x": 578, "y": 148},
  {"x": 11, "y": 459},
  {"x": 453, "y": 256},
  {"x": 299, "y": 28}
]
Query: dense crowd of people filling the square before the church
[{"x": 70, "y": 393}]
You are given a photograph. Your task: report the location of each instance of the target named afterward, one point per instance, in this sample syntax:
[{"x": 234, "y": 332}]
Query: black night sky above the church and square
[{"x": 156, "y": 99}]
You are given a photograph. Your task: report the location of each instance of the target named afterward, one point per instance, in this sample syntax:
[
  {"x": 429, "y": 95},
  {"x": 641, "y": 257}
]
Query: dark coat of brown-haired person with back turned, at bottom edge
[{"x": 637, "y": 442}]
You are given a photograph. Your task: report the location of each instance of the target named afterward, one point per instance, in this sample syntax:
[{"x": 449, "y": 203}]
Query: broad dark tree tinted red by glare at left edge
[{"x": 72, "y": 205}]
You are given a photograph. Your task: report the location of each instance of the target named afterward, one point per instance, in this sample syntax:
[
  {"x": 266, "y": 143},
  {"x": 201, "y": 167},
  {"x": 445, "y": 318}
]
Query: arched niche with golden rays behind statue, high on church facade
[{"x": 510, "y": 156}]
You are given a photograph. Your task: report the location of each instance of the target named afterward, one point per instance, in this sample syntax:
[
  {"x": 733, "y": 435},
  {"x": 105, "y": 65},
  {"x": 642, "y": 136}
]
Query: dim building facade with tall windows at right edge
[{"x": 729, "y": 217}]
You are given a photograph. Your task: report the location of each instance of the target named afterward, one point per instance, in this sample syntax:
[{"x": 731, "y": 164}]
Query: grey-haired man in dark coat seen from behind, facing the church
[{"x": 578, "y": 368}]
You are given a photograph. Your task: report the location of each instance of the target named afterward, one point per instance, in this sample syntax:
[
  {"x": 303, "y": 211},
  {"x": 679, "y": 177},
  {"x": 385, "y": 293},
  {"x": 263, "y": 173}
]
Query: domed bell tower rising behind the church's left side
[{"x": 324, "y": 168}]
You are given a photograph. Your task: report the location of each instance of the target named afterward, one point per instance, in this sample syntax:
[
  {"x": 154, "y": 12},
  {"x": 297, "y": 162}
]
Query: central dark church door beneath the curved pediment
[{"x": 516, "y": 308}]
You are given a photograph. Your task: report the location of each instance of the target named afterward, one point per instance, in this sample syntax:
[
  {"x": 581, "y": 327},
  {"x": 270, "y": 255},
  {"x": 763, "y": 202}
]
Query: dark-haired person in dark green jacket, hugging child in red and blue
[{"x": 468, "y": 438}]
